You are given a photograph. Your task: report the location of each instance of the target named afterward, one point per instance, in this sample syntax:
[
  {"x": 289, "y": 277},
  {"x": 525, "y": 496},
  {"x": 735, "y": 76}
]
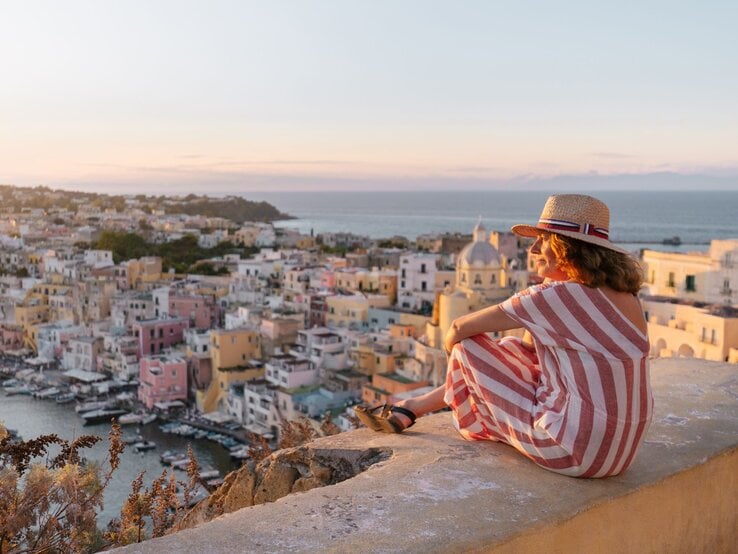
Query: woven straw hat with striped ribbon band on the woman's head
[{"x": 577, "y": 216}]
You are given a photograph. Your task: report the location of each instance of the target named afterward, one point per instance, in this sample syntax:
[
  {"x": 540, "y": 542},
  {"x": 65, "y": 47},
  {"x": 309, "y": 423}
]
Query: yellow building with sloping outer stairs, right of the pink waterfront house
[{"x": 232, "y": 353}]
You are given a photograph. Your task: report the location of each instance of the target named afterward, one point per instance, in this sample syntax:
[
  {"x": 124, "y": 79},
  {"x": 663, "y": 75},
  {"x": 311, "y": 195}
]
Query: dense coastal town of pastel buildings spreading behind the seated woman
[{"x": 138, "y": 307}]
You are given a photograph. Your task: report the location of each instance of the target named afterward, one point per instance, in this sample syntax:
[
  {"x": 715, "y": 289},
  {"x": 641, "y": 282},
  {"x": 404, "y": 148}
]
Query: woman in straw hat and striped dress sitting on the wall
[{"x": 573, "y": 395}]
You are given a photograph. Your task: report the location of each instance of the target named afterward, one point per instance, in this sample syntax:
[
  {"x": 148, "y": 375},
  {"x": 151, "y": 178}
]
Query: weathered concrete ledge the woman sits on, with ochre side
[{"x": 438, "y": 493}]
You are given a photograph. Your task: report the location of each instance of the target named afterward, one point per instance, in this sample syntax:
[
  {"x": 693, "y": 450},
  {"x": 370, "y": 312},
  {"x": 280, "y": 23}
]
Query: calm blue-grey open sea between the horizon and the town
[{"x": 639, "y": 219}]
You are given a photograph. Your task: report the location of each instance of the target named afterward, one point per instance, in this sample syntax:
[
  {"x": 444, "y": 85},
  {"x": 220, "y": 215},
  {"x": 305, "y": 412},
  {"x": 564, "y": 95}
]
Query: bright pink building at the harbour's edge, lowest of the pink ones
[{"x": 163, "y": 379}]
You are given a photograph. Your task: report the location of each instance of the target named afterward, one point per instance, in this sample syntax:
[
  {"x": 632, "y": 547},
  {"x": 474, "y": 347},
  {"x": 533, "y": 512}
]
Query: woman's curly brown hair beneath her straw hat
[{"x": 597, "y": 266}]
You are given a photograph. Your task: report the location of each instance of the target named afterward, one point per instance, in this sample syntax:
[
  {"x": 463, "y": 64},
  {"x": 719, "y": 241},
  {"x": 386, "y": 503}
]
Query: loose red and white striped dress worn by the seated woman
[{"x": 579, "y": 405}]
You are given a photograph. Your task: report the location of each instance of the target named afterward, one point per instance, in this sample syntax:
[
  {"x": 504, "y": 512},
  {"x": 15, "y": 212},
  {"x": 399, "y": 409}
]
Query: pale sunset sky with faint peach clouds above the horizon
[{"x": 230, "y": 96}]
